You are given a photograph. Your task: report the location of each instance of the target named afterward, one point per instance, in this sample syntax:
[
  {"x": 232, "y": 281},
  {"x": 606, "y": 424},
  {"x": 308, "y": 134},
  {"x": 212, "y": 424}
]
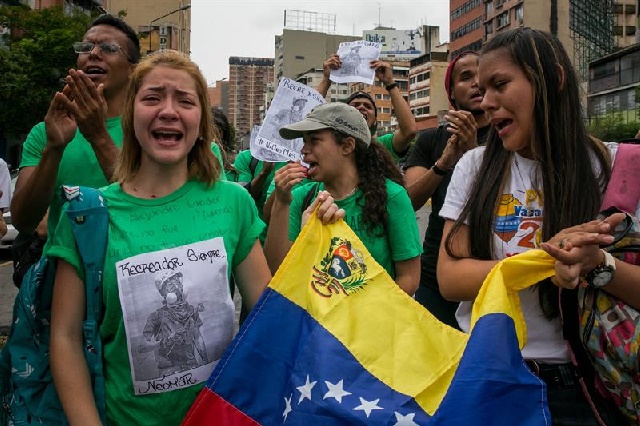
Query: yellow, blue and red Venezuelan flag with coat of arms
[{"x": 334, "y": 341}]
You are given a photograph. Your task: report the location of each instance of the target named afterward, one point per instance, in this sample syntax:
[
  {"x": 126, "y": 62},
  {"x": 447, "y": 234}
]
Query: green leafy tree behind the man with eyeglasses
[{"x": 36, "y": 57}]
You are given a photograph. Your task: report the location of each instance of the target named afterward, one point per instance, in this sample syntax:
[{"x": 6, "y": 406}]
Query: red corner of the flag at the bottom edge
[{"x": 211, "y": 409}]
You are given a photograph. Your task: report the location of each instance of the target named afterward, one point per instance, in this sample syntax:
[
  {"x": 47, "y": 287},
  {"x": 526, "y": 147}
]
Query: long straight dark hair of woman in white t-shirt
[{"x": 560, "y": 145}]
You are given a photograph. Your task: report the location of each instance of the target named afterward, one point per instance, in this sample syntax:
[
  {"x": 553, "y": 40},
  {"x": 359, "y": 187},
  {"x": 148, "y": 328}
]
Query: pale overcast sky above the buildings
[{"x": 220, "y": 28}]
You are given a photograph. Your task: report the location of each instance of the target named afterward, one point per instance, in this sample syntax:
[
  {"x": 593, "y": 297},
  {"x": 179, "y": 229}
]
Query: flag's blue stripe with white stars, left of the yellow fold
[{"x": 264, "y": 374}]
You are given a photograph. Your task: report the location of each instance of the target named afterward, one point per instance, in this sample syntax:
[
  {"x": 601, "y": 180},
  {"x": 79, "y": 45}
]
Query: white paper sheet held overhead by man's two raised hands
[{"x": 356, "y": 57}]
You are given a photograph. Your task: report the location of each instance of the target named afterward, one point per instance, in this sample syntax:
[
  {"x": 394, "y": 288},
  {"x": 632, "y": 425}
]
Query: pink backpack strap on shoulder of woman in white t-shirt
[{"x": 623, "y": 189}]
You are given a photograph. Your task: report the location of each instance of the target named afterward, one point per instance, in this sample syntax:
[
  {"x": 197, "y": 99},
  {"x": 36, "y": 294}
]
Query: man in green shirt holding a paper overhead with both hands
[{"x": 398, "y": 142}]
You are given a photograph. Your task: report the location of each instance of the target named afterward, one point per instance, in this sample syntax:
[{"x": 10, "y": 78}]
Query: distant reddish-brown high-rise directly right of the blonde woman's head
[{"x": 248, "y": 80}]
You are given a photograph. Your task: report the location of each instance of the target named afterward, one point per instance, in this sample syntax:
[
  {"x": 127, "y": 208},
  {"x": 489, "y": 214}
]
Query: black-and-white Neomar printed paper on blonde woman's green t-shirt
[{"x": 178, "y": 314}]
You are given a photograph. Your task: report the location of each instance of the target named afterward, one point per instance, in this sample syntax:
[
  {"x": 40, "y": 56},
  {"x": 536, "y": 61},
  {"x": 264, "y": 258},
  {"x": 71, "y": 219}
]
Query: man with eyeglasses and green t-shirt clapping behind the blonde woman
[{"x": 79, "y": 139}]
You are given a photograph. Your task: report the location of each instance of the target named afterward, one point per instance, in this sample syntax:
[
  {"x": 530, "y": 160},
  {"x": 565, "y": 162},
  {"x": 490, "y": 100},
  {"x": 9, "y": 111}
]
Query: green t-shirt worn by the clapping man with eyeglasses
[{"x": 78, "y": 166}]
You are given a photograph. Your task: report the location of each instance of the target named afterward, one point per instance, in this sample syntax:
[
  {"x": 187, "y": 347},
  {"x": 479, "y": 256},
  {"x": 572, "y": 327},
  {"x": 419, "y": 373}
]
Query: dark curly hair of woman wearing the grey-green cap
[{"x": 374, "y": 165}]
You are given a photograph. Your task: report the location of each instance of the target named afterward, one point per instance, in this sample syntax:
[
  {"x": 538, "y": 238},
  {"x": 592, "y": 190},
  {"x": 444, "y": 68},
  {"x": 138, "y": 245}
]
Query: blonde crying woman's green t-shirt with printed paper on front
[{"x": 168, "y": 313}]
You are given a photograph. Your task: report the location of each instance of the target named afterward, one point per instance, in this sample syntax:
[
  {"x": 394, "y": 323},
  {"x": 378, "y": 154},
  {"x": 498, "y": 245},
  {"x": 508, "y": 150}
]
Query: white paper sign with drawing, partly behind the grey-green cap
[{"x": 291, "y": 103}]
